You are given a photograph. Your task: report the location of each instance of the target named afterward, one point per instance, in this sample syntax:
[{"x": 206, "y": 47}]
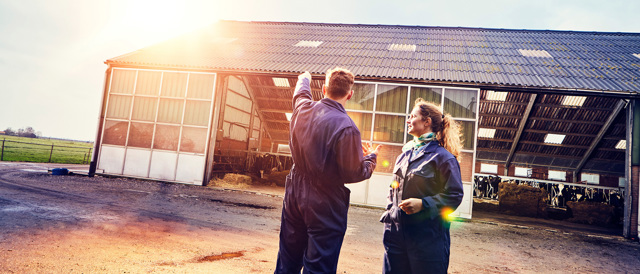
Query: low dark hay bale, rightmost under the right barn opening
[{"x": 592, "y": 213}]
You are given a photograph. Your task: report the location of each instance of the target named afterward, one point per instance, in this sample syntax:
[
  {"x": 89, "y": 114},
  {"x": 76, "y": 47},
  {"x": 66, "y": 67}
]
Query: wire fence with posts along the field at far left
[{"x": 18, "y": 151}]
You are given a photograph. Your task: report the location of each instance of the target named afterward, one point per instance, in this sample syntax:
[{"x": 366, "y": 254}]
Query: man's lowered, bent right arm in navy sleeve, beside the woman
[{"x": 353, "y": 166}]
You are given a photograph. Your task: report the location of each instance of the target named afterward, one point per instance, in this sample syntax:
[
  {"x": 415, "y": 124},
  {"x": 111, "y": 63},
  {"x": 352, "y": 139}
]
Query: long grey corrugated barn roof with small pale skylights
[{"x": 579, "y": 60}]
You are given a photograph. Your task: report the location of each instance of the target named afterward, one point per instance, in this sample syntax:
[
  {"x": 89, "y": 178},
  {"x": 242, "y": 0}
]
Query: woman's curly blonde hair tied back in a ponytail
[{"x": 446, "y": 129}]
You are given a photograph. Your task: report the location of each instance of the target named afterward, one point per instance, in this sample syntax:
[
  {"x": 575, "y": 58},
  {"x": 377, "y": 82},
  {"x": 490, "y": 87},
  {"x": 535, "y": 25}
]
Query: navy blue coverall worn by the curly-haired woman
[{"x": 420, "y": 242}]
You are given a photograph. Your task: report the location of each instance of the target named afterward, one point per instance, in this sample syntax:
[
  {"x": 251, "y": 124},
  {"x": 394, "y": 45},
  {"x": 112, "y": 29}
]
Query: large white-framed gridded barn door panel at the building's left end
[{"x": 158, "y": 122}]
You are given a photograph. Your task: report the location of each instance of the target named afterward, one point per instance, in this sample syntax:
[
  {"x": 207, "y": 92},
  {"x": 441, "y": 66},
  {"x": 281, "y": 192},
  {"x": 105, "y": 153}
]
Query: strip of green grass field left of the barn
[{"x": 22, "y": 149}]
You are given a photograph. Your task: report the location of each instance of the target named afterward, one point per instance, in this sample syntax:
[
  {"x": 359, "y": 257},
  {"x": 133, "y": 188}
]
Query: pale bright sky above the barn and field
[{"x": 52, "y": 53}]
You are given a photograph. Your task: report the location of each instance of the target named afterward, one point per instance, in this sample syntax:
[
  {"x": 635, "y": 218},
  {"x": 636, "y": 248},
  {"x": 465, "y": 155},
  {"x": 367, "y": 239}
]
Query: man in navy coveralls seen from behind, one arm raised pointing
[{"x": 327, "y": 153}]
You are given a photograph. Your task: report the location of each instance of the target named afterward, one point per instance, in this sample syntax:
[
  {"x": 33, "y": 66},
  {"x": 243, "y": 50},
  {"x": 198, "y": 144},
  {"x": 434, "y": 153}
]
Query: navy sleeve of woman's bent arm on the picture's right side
[{"x": 452, "y": 193}]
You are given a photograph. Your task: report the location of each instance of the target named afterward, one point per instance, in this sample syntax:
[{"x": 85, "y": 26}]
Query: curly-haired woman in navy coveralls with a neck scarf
[{"x": 426, "y": 187}]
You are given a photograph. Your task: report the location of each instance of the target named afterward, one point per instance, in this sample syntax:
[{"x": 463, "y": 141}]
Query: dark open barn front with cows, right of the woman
[{"x": 553, "y": 156}]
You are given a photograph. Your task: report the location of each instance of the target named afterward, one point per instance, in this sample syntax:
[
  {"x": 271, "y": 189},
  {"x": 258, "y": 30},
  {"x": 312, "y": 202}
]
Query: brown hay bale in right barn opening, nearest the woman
[{"x": 522, "y": 200}]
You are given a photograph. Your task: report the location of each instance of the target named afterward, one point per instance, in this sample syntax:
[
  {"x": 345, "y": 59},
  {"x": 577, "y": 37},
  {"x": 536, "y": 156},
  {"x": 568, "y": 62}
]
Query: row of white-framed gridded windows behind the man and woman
[{"x": 392, "y": 103}]
